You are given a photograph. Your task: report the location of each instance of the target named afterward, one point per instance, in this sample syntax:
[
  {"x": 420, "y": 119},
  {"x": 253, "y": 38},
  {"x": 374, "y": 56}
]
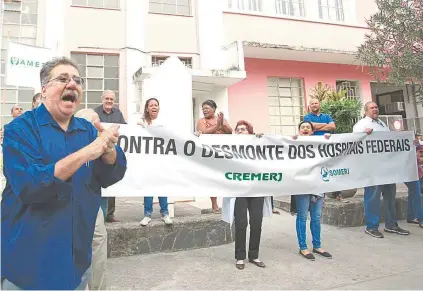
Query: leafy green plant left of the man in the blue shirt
[{"x": 345, "y": 112}]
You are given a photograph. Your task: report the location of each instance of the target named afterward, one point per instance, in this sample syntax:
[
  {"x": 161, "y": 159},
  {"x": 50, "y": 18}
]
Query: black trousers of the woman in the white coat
[{"x": 254, "y": 205}]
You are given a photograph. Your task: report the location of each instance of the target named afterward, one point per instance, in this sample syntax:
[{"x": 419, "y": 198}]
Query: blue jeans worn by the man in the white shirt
[{"x": 372, "y": 205}]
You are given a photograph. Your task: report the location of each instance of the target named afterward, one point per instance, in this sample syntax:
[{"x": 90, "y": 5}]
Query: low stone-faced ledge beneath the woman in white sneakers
[{"x": 190, "y": 230}]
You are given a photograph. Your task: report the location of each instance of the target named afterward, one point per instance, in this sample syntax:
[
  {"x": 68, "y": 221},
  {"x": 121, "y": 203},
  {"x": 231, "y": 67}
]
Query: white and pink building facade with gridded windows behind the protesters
[{"x": 258, "y": 59}]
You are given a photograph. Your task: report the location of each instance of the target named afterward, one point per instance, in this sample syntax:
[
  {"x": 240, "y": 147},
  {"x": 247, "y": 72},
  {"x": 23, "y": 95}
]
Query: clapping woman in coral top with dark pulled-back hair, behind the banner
[{"x": 212, "y": 123}]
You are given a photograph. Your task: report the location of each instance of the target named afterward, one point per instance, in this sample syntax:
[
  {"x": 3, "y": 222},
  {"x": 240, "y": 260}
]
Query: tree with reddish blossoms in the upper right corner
[{"x": 393, "y": 49}]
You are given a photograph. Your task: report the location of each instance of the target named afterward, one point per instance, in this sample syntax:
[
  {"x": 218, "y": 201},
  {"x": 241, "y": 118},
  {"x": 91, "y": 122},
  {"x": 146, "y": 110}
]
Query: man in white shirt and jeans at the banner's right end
[{"x": 368, "y": 124}]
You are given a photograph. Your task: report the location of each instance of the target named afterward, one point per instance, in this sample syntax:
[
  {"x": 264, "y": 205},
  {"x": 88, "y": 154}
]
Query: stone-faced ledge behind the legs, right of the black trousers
[{"x": 349, "y": 214}]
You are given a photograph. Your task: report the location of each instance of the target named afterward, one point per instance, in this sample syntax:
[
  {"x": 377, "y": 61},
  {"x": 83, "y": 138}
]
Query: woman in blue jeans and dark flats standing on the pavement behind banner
[{"x": 302, "y": 204}]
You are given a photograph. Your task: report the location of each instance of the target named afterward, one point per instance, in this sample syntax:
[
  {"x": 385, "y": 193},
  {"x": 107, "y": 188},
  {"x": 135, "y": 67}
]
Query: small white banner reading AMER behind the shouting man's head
[{"x": 24, "y": 63}]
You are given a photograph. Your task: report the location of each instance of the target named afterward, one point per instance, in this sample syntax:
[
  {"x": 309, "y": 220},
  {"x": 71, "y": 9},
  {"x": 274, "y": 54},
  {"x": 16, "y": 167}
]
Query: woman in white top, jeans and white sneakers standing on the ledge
[{"x": 150, "y": 119}]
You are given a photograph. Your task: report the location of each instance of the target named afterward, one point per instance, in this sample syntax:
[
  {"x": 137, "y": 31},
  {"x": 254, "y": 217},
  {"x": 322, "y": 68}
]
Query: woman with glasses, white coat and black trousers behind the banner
[{"x": 237, "y": 208}]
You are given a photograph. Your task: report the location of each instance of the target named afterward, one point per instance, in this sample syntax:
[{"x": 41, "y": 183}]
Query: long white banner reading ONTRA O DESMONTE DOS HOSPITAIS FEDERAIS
[{"x": 162, "y": 162}]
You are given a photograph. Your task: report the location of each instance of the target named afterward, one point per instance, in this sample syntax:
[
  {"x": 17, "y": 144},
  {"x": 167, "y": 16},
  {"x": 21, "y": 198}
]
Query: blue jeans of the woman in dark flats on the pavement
[{"x": 304, "y": 203}]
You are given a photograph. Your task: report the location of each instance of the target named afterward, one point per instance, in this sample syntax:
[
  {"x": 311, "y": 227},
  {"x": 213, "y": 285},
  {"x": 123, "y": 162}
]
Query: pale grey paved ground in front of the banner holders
[{"x": 360, "y": 262}]
